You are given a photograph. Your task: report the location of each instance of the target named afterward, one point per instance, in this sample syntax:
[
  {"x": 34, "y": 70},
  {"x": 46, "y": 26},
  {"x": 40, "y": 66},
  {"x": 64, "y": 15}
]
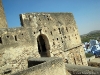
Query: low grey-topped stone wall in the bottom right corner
[{"x": 82, "y": 70}]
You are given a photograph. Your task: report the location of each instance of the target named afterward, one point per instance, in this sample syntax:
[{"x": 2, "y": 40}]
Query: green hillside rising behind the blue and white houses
[{"x": 91, "y": 35}]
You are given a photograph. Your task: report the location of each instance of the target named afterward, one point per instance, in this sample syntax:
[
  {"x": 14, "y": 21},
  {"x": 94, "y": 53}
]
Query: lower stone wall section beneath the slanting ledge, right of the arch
[{"x": 75, "y": 56}]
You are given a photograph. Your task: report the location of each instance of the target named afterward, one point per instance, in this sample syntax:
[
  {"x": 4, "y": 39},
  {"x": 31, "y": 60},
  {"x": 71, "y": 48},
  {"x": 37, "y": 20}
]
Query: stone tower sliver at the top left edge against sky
[{"x": 3, "y": 23}]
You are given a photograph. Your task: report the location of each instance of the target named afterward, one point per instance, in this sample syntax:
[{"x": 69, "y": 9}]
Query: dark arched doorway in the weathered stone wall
[{"x": 43, "y": 45}]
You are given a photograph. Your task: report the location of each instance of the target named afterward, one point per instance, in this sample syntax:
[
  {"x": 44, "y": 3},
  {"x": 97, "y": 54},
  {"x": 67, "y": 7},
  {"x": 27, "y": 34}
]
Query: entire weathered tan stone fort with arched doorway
[{"x": 41, "y": 37}]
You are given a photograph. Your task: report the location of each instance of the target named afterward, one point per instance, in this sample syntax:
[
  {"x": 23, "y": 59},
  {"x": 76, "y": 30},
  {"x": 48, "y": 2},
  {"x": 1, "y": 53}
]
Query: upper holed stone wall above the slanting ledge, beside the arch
[{"x": 60, "y": 28}]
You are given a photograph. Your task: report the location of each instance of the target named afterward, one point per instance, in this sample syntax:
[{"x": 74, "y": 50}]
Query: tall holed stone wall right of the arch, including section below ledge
[{"x": 62, "y": 33}]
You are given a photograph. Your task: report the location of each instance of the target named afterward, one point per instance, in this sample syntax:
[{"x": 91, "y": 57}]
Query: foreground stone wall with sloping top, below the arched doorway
[{"x": 49, "y": 66}]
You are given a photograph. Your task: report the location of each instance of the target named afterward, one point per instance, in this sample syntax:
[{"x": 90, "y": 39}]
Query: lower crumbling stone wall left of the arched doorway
[{"x": 16, "y": 46}]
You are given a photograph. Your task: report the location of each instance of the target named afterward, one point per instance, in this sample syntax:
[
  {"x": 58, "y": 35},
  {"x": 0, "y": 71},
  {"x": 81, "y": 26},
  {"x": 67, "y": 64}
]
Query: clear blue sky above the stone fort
[{"x": 86, "y": 12}]
